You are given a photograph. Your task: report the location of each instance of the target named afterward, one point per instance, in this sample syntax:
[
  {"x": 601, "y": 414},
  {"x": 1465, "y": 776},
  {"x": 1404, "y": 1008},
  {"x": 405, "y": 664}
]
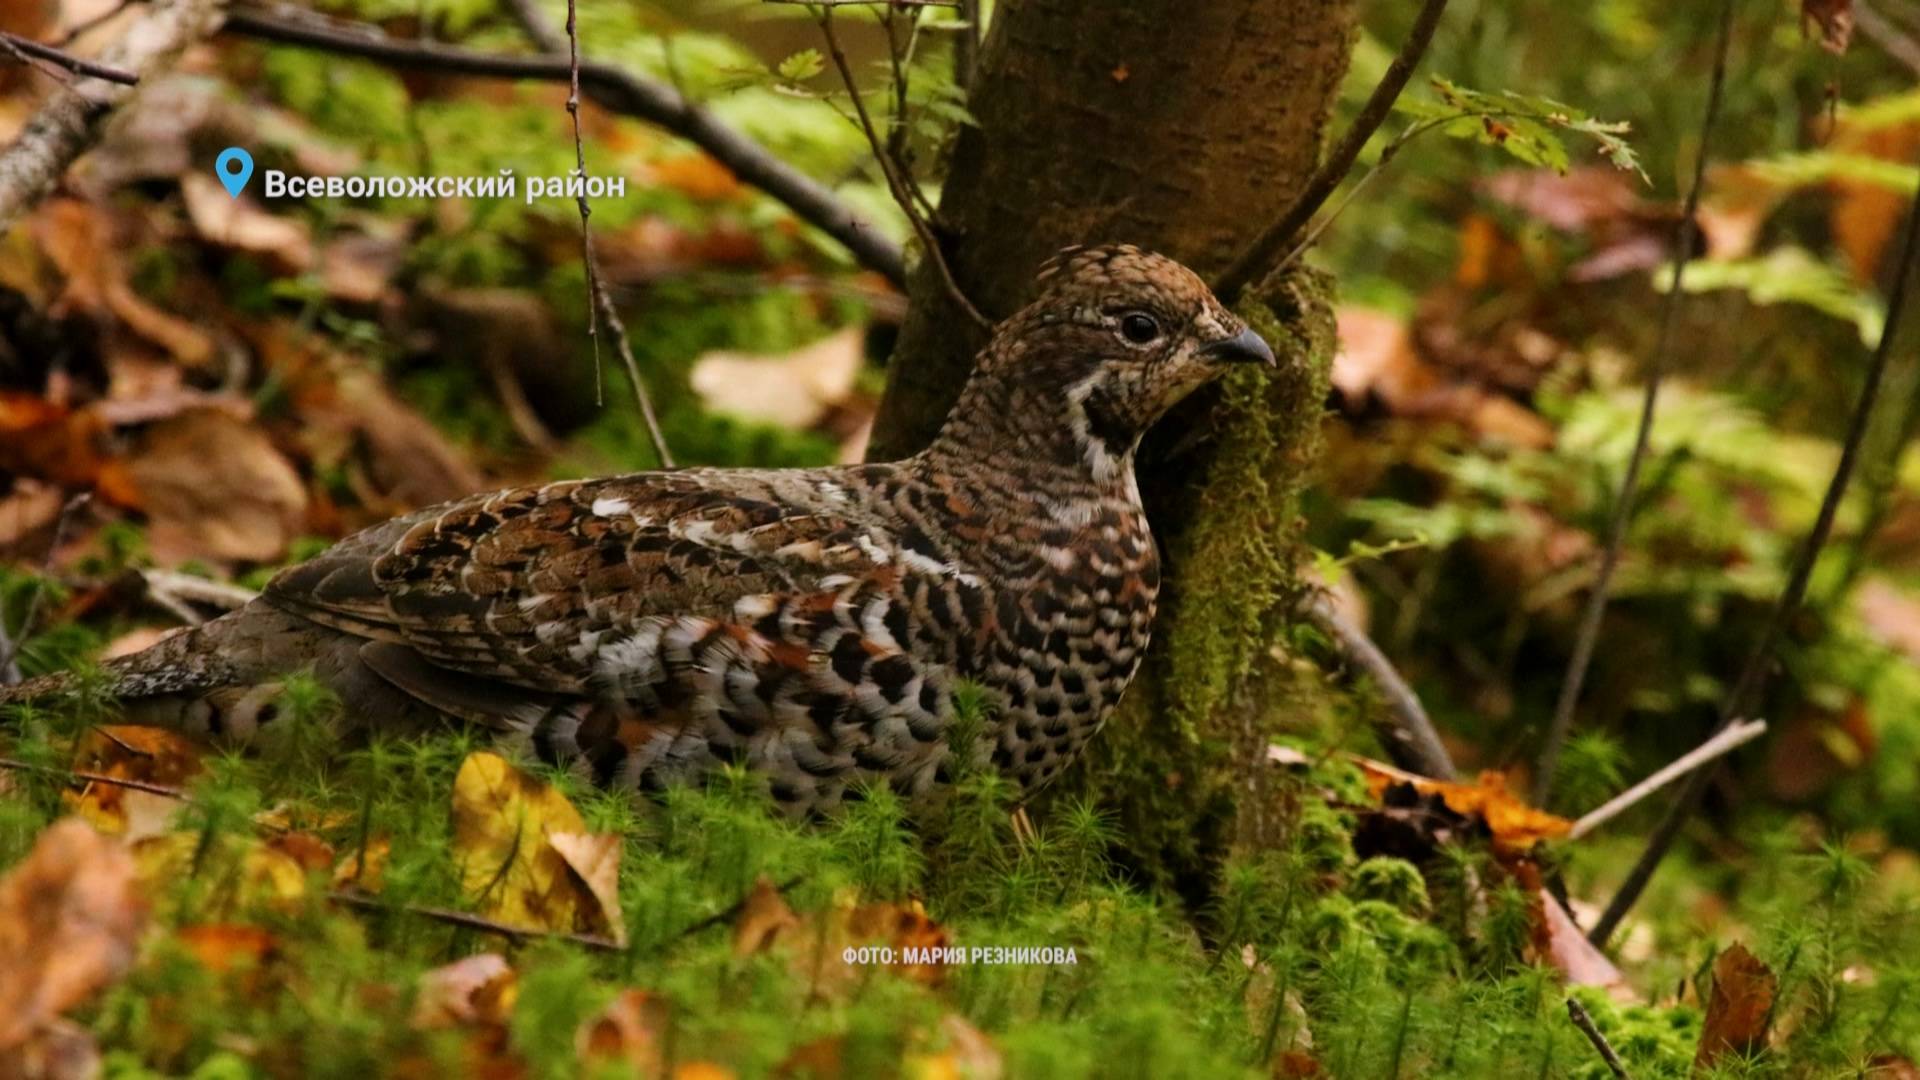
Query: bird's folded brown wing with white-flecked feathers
[{"x": 535, "y": 587}]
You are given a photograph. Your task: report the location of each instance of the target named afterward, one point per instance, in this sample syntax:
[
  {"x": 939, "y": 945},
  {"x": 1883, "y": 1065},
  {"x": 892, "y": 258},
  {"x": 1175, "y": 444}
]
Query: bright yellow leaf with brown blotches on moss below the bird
[{"x": 504, "y": 827}]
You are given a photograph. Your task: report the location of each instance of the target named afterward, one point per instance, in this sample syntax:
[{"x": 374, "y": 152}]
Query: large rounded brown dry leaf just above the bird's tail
[{"x": 214, "y": 487}]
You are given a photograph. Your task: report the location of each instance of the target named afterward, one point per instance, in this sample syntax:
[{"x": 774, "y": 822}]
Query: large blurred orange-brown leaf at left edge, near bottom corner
[{"x": 70, "y": 916}]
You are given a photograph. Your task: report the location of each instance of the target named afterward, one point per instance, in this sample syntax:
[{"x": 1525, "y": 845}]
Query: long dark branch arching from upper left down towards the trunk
[{"x": 615, "y": 89}]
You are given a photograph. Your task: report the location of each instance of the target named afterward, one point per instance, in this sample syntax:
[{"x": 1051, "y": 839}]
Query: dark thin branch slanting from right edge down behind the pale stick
[{"x": 1760, "y": 662}]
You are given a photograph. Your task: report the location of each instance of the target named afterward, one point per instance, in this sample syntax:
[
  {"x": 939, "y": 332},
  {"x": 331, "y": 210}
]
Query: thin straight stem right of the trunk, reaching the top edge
[{"x": 1623, "y": 504}]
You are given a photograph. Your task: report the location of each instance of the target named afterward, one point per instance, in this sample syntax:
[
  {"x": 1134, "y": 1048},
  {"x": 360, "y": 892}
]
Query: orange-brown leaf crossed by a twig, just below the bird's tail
[{"x": 128, "y": 752}]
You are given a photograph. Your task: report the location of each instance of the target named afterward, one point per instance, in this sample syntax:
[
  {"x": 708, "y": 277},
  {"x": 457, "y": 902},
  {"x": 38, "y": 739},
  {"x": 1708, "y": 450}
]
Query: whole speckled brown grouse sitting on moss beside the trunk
[{"x": 809, "y": 624}]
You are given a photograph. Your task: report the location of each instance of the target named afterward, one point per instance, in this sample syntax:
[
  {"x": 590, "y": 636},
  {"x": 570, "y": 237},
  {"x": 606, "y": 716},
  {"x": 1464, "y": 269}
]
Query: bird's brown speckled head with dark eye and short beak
[{"x": 1118, "y": 335}]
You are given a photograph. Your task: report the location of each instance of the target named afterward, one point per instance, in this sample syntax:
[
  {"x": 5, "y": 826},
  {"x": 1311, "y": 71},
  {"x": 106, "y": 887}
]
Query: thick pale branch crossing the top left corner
[{"x": 70, "y": 122}]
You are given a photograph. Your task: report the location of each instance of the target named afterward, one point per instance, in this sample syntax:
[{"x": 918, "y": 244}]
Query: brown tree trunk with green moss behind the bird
[{"x": 1184, "y": 128}]
